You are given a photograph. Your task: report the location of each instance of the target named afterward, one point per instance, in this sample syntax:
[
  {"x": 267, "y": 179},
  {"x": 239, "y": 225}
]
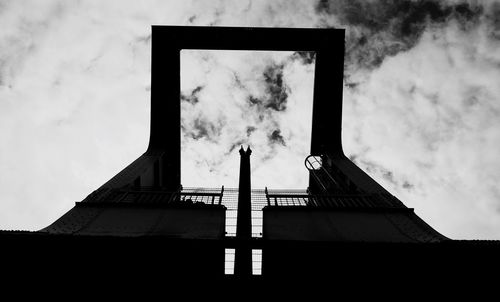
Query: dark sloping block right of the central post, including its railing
[{"x": 377, "y": 217}]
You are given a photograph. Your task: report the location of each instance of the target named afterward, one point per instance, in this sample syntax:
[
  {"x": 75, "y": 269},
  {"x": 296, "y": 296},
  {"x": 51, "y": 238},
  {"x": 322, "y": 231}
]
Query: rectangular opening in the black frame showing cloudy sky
[{"x": 257, "y": 98}]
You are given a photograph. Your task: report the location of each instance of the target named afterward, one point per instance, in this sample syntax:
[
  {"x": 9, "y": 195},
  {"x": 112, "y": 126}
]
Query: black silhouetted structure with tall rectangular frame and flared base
[{"x": 344, "y": 227}]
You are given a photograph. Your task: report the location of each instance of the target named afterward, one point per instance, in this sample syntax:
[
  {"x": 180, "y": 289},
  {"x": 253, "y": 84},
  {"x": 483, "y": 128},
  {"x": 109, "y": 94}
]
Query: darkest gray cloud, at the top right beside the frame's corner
[{"x": 377, "y": 29}]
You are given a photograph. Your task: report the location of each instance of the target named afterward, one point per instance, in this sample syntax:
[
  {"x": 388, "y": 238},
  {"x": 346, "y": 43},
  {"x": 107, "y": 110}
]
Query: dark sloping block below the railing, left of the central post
[{"x": 123, "y": 220}]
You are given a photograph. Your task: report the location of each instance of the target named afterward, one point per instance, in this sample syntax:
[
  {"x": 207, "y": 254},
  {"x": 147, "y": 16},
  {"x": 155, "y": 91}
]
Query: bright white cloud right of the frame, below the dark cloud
[{"x": 431, "y": 117}]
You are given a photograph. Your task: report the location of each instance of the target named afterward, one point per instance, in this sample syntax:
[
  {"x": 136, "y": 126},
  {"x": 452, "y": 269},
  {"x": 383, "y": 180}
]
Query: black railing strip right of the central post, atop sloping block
[{"x": 332, "y": 201}]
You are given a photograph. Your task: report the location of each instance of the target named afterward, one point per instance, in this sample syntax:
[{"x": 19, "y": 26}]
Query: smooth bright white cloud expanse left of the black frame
[{"x": 74, "y": 105}]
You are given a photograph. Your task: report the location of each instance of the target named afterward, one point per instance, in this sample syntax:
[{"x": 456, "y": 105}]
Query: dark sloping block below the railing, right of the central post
[{"x": 351, "y": 225}]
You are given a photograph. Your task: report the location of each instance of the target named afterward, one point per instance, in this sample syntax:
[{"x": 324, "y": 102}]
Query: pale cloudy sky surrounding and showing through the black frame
[{"x": 421, "y": 101}]
